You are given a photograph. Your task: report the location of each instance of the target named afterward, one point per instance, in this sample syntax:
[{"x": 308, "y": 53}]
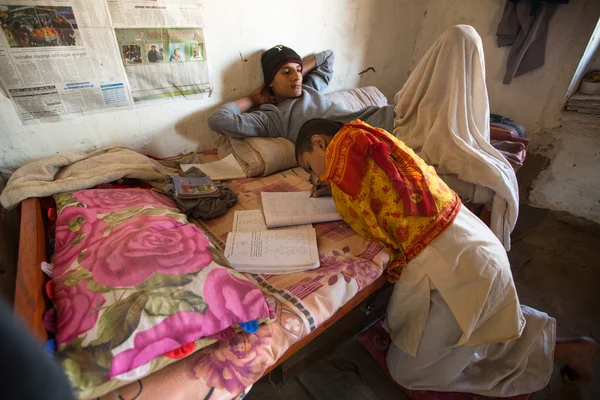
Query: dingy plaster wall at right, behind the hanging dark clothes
[{"x": 571, "y": 141}]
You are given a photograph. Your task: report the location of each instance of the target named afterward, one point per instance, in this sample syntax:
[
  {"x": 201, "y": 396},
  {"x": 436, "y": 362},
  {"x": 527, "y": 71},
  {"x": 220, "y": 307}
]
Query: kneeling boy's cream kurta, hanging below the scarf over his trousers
[{"x": 469, "y": 267}]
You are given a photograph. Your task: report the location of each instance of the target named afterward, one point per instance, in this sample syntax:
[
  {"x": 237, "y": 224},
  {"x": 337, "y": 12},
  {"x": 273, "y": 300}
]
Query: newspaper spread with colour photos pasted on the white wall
[{"x": 59, "y": 58}]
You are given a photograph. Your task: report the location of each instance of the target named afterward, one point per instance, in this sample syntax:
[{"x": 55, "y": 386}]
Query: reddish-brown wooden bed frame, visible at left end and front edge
[{"x": 30, "y": 303}]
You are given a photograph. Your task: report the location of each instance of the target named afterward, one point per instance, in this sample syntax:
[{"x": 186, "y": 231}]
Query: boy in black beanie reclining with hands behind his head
[{"x": 292, "y": 94}]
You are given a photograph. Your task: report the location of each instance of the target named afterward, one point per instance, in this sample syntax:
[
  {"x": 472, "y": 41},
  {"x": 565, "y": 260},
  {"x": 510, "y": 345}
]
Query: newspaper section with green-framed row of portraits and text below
[{"x": 164, "y": 63}]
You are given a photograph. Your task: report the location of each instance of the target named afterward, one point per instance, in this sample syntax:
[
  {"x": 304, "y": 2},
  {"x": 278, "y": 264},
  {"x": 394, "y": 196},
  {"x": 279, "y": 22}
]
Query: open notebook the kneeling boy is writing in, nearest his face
[{"x": 297, "y": 208}]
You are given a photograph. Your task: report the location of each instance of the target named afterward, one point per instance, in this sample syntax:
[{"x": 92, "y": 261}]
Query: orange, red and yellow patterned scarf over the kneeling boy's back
[{"x": 383, "y": 190}]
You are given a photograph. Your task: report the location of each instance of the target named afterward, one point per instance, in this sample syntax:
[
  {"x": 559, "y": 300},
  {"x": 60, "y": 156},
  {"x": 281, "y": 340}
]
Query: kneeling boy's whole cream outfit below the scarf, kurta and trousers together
[{"x": 456, "y": 323}]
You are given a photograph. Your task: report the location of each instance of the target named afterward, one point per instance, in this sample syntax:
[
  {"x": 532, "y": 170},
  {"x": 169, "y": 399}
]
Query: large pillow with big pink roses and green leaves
[{"x": 136, "y": 287}]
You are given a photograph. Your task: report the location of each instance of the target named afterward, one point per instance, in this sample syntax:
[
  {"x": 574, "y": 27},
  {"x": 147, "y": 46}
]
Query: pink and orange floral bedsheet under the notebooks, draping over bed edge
[{"x": 302, "y": 302}]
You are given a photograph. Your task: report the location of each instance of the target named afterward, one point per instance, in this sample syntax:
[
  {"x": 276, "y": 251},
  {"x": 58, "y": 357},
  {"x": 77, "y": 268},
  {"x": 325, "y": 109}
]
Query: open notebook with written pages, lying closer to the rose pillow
[{"x": 254, "y": 249}]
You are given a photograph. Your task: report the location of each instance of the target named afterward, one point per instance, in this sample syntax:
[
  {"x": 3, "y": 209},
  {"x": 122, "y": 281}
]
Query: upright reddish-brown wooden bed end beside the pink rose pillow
[{"x": 29, "y": 289}]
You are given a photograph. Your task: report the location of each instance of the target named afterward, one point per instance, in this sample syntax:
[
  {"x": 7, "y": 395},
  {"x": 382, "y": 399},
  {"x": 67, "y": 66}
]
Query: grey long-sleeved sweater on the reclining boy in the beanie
[{"x": 286, "y": 118}]
